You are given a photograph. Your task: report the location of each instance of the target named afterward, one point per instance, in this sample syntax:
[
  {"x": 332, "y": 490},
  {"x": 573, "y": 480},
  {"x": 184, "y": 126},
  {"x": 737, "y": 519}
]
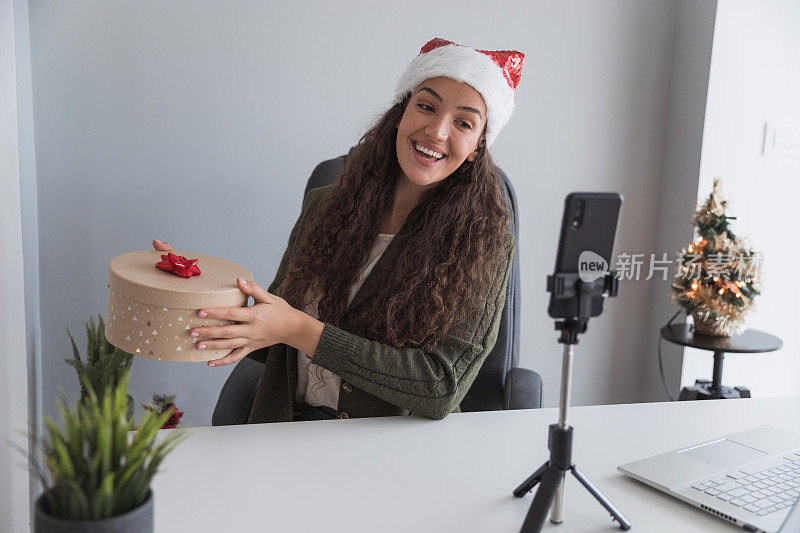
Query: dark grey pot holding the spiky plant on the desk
[{"x": 139, "y": 520}]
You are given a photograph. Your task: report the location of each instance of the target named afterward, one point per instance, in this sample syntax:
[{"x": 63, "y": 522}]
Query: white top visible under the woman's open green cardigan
[{"x": 316, "y": 385}]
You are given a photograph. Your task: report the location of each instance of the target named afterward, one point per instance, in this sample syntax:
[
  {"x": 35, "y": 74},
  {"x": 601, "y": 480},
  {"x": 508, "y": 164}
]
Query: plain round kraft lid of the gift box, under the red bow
[{"x": 135, "y": 275}]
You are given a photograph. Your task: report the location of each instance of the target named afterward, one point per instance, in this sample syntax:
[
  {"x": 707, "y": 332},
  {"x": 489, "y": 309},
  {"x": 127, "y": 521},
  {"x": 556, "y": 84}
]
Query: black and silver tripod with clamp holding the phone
[{"x": 552, "y": 474}]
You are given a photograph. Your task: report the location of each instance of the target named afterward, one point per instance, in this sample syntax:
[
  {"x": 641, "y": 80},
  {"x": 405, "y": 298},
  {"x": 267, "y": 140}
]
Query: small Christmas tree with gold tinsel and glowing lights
[{"x": 718, "y": 275}]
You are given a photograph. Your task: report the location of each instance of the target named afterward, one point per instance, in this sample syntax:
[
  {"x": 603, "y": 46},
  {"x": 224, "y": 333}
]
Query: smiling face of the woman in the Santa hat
[{"x": 446, "y": 117}]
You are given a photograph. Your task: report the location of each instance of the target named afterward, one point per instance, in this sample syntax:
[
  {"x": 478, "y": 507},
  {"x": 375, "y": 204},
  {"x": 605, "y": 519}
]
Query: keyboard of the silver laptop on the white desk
[{"x": 761, "y": 492}]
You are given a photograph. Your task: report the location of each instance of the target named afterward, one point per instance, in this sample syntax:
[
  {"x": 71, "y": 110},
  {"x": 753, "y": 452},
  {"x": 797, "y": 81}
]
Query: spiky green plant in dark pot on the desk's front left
[{"x": 98, "y": 466}]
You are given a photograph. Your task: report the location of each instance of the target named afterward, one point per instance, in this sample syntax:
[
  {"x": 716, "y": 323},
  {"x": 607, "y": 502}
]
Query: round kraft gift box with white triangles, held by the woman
[{"x": 150, "y": 311}]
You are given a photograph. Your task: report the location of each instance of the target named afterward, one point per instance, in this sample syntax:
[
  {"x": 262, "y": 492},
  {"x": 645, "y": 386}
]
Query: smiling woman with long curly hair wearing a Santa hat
[{"x": 389, "y": 295}]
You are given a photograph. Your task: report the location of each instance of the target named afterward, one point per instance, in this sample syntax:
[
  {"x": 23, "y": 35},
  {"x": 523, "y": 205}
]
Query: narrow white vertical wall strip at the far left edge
[{"x": 14, "y": 479}]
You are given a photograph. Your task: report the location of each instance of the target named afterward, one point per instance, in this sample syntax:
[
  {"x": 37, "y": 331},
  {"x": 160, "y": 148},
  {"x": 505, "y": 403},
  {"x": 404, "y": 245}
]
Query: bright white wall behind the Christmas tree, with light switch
[{"x": 755, "y": 79}]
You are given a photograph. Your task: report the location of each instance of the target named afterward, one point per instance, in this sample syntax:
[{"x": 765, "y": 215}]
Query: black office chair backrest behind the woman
[{"x": 487, "y": 391}]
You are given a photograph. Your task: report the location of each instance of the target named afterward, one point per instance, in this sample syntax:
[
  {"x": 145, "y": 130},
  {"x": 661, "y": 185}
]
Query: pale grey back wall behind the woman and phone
[{"x": 219, "y": 112}]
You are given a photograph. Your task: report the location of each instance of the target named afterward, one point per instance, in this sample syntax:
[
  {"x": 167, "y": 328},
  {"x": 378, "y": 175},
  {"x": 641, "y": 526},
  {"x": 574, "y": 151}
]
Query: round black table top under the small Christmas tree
[{"x": 751, "y": 341}]
